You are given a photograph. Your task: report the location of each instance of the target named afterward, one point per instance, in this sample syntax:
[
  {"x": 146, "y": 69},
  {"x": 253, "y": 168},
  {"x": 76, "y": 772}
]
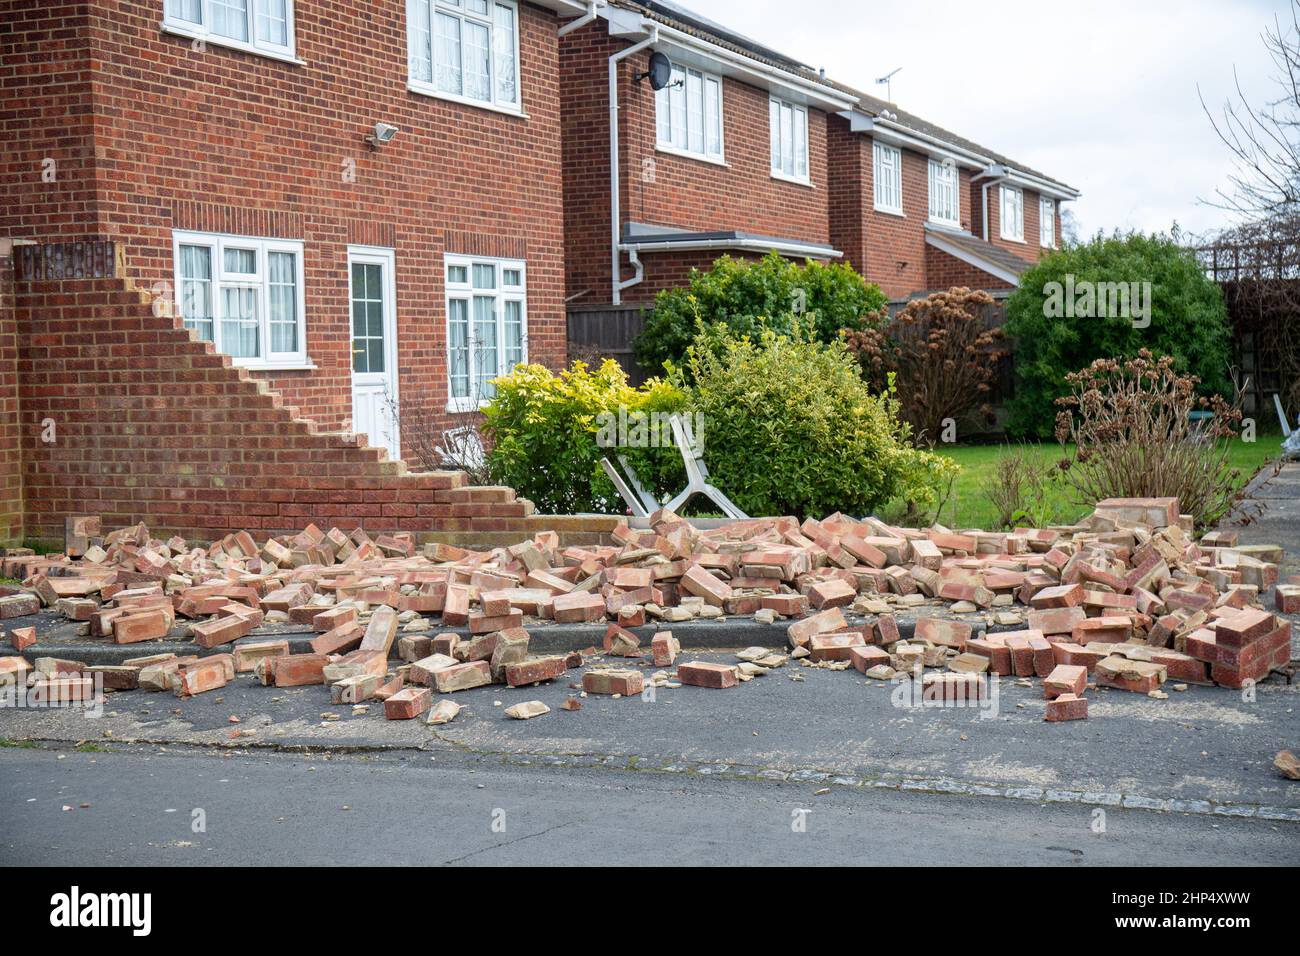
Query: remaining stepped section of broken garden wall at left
[{"x": 153, "y": 426}]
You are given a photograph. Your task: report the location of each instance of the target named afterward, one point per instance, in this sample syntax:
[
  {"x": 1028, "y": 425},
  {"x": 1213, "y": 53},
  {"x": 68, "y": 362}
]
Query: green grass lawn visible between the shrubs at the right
[{"x": 970, "y": 508}]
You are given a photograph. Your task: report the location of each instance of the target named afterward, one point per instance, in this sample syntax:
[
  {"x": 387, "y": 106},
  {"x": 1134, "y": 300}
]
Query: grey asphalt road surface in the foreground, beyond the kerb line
[{"x": 458, "y": 810}]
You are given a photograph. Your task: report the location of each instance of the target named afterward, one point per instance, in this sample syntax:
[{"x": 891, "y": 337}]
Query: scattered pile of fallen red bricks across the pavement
[{"x": 1126, "y": 600}]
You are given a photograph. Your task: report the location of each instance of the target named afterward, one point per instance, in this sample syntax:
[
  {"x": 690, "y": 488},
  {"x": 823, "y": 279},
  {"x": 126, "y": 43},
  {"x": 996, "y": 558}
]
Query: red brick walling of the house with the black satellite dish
[{"x": 684, "y": 193}]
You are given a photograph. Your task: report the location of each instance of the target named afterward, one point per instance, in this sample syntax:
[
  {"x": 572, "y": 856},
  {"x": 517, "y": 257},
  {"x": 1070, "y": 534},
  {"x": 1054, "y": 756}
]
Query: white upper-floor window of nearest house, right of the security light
[{"x": 466, "y": 51}]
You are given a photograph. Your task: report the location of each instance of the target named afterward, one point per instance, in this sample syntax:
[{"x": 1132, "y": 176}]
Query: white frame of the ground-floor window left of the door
[{"x": 259, "y": 282}]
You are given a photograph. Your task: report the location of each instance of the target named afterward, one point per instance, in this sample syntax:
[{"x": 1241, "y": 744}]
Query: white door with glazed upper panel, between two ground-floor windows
[{"x": 375, "y": 370}]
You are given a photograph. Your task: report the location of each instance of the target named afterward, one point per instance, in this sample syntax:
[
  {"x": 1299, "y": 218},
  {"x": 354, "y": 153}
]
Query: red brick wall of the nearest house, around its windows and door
[{"x": 228, "y": 141}]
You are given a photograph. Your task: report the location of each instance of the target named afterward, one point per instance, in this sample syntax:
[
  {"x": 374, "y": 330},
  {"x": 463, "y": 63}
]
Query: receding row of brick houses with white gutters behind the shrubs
[{"x": 749, "y": 152}]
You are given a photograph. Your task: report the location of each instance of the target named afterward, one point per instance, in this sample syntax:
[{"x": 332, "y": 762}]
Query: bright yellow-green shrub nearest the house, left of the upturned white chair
[{"x": 544, "y": 434}]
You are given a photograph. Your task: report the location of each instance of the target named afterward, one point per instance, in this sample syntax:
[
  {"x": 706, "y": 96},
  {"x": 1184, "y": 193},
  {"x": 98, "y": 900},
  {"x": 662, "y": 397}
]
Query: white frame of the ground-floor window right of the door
[{"x": 466, "y": 292}]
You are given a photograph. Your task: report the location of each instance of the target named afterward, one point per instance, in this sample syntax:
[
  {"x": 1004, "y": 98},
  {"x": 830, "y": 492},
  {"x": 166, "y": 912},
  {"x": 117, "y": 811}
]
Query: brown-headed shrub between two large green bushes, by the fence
[{"x": 941, "y": 354}]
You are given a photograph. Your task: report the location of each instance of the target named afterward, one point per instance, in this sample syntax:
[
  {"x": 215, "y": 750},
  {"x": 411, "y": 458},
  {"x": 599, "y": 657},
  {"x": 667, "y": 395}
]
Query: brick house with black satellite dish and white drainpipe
[{"x": 694, "y": 172}]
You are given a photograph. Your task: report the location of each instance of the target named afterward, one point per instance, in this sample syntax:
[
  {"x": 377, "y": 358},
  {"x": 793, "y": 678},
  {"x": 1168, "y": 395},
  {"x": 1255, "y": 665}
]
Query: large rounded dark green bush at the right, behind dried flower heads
[{"x": 1188, "y": 321}]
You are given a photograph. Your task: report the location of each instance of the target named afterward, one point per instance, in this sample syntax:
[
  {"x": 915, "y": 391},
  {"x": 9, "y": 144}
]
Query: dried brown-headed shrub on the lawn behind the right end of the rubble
[{"x": 1130, "y": 423}]
